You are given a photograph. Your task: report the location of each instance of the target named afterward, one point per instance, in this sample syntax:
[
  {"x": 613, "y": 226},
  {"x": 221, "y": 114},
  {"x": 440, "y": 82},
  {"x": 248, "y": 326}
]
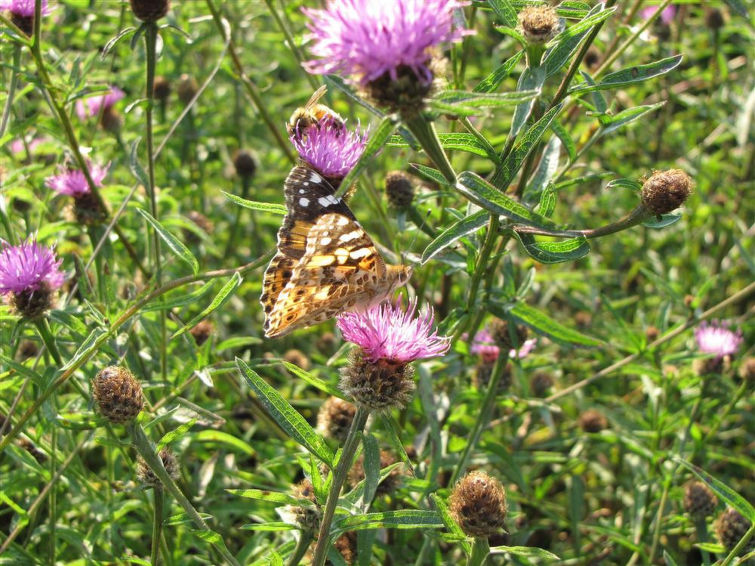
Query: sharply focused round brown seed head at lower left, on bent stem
[{"x": 117, "y": 394}]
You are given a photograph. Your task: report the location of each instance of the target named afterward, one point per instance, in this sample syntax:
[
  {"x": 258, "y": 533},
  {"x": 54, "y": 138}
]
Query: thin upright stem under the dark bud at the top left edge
[{"x": 150, "y": 40}]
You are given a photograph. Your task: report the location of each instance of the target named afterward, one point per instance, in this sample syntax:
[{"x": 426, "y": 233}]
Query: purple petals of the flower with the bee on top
[{"x": 329, "y": 147}]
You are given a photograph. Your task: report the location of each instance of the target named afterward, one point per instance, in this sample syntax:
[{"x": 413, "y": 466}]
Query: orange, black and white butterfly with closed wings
[{"x": 326, "y": 263}]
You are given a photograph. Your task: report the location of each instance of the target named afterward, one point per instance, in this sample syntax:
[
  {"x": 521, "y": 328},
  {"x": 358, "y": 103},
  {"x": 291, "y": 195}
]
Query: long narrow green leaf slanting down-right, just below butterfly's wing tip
[{"x": 285, "y": 415}]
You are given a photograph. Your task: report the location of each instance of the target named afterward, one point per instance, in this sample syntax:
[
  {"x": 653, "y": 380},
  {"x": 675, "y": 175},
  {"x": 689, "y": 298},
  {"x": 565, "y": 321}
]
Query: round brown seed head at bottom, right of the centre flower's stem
[{"x": 478, "y": 503}]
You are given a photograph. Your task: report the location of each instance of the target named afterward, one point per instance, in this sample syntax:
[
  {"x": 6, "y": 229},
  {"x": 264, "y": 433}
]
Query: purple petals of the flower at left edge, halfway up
[{"x": 27, "y": 267}]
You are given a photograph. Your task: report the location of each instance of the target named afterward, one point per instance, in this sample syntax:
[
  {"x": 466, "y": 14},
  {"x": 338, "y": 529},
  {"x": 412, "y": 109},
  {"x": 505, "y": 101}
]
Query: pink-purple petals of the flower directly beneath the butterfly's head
[{"x": 387, "y": 332}]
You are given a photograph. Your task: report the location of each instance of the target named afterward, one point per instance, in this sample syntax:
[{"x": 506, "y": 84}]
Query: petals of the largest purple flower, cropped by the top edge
[{"x": 369, "y": 38}]
